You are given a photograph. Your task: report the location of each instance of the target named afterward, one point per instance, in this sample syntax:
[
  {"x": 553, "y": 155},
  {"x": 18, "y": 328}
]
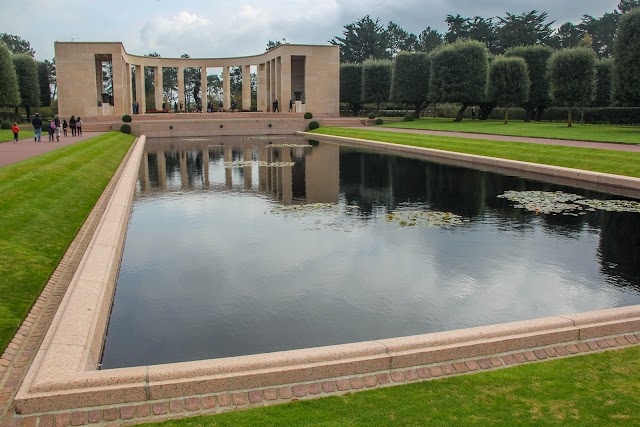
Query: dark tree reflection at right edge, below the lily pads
[{"x": 619, "y": 248}]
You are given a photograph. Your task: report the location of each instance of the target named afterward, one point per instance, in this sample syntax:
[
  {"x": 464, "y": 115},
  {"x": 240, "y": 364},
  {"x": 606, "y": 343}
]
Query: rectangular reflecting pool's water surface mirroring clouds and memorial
[{"x": 218, "y": 263}]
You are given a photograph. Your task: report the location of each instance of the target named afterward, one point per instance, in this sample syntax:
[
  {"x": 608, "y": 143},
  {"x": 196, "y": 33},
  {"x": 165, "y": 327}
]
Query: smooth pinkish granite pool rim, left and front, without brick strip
[{"x": 64, "y": 377}]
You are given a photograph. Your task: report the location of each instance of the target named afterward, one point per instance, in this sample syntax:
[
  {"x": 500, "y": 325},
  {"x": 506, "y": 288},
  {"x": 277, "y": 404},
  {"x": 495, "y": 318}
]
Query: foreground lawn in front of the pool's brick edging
[{"x": 599, "y": 389}]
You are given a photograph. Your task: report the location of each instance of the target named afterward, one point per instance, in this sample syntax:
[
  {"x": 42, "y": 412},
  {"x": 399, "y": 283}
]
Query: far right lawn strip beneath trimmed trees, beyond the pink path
[{"x": 598, "y": 133}]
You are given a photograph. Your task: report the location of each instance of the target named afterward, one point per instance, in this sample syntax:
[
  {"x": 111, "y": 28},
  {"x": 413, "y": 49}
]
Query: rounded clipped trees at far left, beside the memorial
[{"x": 24, "y": 81}]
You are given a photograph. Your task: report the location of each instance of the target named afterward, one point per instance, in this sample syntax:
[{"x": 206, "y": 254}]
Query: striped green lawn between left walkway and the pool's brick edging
[{"x": 43, "y": 203}]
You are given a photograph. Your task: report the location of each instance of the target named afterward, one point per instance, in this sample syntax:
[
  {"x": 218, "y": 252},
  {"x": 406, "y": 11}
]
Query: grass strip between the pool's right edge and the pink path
[{"x": 609, "y": 161}]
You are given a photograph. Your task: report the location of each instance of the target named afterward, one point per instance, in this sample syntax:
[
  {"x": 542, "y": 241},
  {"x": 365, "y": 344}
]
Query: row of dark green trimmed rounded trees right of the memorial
[{"x": 533, "y": 77}]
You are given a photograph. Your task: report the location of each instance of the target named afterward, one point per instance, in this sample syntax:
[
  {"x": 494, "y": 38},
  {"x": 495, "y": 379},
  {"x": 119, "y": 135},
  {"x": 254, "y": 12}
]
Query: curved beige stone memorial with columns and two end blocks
[{"x": 308, "y": 75}]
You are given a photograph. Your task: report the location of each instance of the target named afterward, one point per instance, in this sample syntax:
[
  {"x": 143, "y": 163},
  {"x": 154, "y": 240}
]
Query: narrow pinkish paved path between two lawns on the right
[{"x": 568, "y": 143}]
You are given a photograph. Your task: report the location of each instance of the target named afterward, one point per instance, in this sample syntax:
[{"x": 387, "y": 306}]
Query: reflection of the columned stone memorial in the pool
[{"x": 238, "y": 164}]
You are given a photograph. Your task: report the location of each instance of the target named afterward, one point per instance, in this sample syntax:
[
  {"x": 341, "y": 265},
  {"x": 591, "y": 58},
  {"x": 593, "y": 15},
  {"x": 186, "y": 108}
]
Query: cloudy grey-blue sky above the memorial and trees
[{"x": 224, "y": 28}]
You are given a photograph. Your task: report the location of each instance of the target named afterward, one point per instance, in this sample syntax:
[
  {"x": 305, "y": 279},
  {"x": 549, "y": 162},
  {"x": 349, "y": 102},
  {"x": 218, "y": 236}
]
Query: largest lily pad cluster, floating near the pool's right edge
[{"x": 558, "y": 202}]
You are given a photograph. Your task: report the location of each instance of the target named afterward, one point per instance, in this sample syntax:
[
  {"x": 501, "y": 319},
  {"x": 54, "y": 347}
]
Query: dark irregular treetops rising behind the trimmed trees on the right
[{"x": 369, "y": 39}]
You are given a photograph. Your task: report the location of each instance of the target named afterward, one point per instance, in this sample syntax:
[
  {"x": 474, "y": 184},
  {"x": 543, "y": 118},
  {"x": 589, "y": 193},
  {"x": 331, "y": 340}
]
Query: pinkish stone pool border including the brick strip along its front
[{"x": 64, "y": 386}]
